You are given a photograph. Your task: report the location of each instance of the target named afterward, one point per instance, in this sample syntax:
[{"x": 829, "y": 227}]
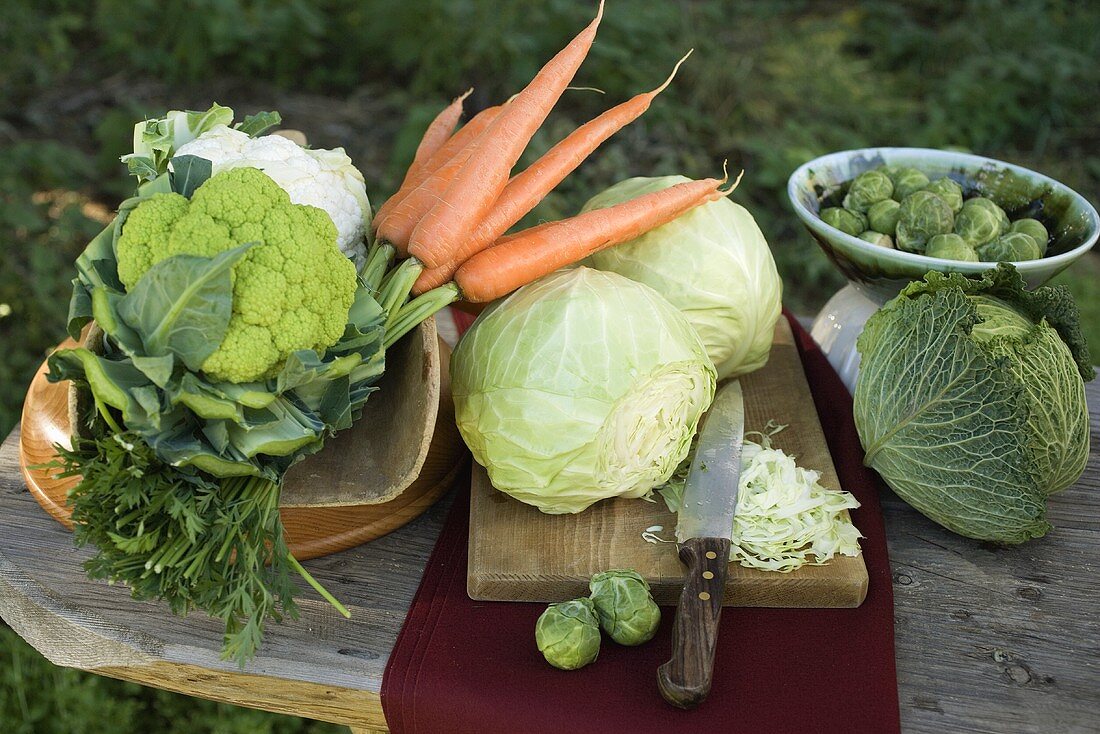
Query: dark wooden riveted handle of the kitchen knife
[{"x": 686, "y": 680}]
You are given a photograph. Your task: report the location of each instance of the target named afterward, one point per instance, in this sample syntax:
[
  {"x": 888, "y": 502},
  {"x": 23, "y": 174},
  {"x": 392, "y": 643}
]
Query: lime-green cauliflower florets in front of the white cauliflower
[{"x": 293, "y": 290}]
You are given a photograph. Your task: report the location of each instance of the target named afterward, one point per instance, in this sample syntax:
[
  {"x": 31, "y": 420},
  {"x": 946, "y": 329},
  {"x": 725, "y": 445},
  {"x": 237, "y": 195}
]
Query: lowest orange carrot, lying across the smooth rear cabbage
[{"x": 533, "y": 254}]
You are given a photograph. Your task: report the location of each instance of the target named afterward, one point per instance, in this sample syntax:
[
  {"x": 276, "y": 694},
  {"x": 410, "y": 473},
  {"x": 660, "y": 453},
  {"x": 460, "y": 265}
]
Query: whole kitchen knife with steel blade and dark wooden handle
[{"x": 705, "y": 525}]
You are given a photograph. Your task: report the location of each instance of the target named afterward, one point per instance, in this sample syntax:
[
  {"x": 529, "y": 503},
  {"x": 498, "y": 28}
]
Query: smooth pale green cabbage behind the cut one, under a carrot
[{"x": 713, "y": 265}]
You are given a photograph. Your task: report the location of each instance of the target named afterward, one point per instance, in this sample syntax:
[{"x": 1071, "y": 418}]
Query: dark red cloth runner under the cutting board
[{"x": 467, "y": 666}]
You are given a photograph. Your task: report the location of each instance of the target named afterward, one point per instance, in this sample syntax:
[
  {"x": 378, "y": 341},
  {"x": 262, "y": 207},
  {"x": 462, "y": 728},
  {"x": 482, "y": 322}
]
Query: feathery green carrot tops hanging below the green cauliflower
[{"x": 183, "y": 538}]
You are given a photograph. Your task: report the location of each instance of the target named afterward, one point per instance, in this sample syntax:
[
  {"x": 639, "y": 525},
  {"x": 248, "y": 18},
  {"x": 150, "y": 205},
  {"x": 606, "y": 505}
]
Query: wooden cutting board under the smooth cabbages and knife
[{"x": 520, "y": 554}]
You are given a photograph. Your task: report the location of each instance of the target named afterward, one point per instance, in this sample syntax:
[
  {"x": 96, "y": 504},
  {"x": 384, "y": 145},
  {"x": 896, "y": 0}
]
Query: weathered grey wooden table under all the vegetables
[{"x": 989, "y": 640}]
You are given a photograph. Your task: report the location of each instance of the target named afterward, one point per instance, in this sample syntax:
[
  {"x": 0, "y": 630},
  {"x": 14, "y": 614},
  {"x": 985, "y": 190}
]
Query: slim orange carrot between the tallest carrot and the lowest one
[{"x": 526, "y": 190}]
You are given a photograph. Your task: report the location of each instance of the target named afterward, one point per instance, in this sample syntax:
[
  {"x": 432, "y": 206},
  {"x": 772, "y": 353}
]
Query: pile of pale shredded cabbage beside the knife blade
[{"x": 785, "y": 518}]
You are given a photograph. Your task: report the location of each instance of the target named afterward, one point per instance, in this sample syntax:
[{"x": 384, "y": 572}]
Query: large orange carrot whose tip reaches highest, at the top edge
[{"x": 480, "y": 182}]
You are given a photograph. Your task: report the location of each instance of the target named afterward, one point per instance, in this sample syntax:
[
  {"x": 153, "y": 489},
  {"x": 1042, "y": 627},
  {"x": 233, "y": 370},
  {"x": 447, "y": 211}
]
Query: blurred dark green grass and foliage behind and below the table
[{"x": 772, "y": 84}]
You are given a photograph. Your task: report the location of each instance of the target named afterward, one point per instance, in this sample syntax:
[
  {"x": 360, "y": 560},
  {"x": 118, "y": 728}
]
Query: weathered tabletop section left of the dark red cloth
[{"x": 321, "y": 666}]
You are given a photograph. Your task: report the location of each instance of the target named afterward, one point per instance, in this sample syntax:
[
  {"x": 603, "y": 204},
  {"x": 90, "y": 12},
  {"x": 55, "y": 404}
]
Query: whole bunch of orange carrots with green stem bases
[{"x": 449, "y": 217}]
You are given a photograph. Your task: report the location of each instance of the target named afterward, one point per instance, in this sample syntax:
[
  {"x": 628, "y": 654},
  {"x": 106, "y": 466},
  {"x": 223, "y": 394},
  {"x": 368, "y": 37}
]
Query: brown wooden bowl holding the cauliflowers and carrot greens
[{"x": 387, "y": 470}]
